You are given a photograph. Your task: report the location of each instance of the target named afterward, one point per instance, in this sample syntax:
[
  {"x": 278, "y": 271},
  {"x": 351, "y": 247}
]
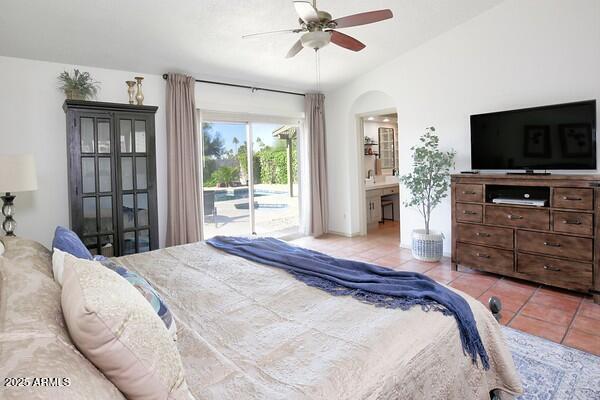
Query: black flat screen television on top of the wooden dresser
[{"x": 560, "y": 137}]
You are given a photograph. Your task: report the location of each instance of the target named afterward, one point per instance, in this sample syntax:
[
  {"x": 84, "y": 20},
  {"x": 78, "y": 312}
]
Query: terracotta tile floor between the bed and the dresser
[{"x": 561, "y": 316}]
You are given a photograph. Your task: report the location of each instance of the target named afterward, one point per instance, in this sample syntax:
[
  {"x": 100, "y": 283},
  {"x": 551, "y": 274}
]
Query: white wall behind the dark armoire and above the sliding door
[{"x": 32, "y": 121}]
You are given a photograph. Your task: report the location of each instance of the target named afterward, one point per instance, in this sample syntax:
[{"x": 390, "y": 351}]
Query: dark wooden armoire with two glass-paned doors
[{"x": 112, "y": 176}]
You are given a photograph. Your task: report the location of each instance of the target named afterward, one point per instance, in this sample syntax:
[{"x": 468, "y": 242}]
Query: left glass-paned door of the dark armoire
[{"x": 97, "y": 179}]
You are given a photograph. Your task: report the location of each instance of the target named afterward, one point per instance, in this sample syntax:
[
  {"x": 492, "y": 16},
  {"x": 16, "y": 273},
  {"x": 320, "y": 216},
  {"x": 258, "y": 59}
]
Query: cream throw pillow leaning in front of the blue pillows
[{"x": 119, "y": 332}]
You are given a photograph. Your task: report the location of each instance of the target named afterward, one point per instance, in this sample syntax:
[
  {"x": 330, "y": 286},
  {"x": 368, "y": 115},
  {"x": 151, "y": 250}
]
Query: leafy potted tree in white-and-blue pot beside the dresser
[{"x": 428, "y": 184}]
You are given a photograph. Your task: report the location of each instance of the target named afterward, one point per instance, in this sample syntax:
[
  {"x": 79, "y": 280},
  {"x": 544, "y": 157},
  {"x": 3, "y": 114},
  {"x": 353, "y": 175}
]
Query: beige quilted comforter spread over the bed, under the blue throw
[{"x": 249, "y": 331}]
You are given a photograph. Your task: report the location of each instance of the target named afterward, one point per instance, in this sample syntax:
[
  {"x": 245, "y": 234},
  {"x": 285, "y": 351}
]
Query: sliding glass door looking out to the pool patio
[{"x": 245, "y": 195}]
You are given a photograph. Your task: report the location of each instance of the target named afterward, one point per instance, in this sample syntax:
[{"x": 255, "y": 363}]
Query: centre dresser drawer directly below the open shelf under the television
[{"x": 518, "y": 217}]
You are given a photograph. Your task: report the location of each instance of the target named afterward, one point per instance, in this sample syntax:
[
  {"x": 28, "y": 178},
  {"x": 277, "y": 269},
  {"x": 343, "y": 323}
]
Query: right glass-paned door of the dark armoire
[{"x": 132, "y": 162}]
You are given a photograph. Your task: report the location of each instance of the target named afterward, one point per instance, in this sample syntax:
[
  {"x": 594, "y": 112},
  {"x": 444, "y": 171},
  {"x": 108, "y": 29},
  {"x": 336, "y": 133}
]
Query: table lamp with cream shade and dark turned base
[{"x": 17, "y": 174}]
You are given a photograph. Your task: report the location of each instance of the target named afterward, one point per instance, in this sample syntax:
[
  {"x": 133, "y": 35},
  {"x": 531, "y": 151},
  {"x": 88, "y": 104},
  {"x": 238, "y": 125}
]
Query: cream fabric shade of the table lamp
[{"x": 17, "y": 173}]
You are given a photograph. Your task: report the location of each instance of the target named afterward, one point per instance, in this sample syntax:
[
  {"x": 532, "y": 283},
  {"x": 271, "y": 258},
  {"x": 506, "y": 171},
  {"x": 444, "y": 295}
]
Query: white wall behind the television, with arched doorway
[{"x": 521, "y": 53}]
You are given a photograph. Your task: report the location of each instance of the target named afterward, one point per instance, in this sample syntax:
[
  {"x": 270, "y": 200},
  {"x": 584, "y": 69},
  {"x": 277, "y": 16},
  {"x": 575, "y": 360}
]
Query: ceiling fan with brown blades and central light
[{"x": 320, "y": 28}]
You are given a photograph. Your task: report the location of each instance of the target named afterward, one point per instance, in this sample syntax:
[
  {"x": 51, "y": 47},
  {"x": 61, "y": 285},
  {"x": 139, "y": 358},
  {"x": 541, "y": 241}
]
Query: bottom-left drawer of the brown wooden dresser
[{"x": 484, "y": 258}]
